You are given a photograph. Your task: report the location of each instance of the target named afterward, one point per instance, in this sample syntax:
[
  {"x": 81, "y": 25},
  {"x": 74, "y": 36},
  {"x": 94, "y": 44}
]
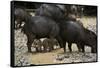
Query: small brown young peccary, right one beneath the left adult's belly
[{"x": 49, "y": 44}]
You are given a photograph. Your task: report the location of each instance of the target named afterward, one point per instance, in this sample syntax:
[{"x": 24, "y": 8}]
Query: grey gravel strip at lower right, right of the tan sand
[{"x": 76, "y": 57}]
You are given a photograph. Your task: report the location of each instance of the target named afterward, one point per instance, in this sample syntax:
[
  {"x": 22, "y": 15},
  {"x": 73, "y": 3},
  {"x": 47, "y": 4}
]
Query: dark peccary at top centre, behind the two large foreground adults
[{"x": 55, "y": 12}]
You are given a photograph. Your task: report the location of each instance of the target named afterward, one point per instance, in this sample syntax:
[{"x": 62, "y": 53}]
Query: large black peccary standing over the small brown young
[{"x": 40, "y": 27}]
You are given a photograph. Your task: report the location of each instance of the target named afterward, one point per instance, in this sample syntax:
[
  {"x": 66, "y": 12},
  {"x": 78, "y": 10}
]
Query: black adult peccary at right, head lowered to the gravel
[{"x": 74, "y": 32}]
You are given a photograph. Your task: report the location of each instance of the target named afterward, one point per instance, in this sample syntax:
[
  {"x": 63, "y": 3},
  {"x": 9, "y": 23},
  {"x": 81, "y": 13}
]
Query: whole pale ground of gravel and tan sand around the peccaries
[{"x": 23, "y": 58}]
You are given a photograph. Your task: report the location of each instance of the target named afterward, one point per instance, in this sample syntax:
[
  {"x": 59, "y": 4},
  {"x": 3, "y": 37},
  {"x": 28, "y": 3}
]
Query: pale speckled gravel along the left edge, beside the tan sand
[{"x": 21, "y": 59}]
